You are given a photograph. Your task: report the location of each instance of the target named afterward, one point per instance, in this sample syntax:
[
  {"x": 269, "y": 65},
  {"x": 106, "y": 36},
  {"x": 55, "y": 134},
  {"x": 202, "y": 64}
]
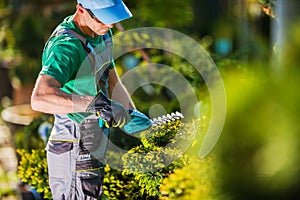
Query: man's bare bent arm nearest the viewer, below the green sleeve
[{"x": 48, "y": 98}]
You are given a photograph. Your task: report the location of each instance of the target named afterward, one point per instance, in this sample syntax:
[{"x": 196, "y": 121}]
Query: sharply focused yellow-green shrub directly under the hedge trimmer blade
[{"x": 162, "y": 151}]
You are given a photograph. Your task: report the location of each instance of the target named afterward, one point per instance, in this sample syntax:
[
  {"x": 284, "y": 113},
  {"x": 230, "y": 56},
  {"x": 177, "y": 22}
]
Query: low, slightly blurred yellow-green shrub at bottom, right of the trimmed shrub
[{"x": 196, "y": 180}]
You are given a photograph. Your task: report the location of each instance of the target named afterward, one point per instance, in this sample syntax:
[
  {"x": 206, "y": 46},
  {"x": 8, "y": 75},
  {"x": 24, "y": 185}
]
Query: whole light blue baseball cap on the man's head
[{"x": 107, "y": 11}]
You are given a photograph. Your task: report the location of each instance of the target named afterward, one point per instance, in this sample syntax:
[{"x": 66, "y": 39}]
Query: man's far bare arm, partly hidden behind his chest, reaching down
[{"x": 117, "y": 90}]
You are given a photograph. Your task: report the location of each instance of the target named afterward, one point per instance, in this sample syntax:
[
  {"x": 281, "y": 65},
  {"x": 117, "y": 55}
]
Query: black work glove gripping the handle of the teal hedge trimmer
[{"x": 113, "y": 113}]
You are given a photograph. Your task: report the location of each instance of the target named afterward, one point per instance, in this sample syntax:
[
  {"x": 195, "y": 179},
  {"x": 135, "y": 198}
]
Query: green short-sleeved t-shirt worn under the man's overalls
[{"x": 65, "y": 59}]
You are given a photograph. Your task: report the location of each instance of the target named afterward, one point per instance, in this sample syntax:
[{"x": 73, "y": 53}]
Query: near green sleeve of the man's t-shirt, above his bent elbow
[{"x": 61, "y": 61}]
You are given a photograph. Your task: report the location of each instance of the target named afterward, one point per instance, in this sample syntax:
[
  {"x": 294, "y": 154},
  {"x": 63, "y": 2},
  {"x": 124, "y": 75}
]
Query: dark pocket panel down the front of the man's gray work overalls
[{"x": 89, "y": 168}]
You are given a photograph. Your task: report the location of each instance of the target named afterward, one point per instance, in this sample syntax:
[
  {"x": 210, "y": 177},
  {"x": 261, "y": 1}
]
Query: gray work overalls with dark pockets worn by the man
[{"x": 76, "y": 154}]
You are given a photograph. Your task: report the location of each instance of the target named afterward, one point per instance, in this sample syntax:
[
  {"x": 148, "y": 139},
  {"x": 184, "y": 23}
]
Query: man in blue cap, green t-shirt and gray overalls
[{"x": 75, "y": 84}]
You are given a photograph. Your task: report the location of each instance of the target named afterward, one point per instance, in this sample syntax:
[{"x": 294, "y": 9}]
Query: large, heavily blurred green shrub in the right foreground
[{"x": 259, "y": 146}]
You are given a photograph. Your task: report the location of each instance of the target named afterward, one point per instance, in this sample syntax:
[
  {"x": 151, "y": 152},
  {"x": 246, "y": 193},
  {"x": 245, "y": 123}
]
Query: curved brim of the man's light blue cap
[{"x": 113, "y": 14}]
